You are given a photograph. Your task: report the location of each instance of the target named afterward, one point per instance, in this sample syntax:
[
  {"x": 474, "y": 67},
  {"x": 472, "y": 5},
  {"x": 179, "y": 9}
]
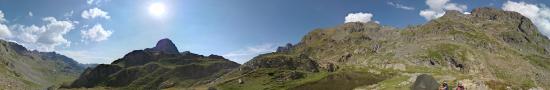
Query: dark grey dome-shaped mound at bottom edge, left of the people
[{"x": 425, "y": 82}]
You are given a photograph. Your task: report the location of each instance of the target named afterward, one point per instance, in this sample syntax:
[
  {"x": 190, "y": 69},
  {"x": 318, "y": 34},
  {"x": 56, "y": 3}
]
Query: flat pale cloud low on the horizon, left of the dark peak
[{"x": 85, "y": 56}]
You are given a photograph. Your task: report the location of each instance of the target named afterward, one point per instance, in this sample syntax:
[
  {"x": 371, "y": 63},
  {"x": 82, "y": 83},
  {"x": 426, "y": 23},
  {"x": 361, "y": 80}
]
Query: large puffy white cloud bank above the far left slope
[{"x": 43, "y": 38}]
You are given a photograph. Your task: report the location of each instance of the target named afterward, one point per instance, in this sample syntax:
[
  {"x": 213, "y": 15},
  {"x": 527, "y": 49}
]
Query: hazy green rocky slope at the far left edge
[{"x": 24, "y": 69}]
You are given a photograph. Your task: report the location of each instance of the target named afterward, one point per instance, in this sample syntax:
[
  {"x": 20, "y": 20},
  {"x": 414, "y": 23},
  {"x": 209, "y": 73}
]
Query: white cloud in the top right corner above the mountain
[{"x": 539, "y": 14}]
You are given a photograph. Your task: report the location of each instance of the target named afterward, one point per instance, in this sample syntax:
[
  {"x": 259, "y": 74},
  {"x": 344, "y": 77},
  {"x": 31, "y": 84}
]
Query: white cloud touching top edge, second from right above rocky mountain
[{"x": 438, "y": 7}]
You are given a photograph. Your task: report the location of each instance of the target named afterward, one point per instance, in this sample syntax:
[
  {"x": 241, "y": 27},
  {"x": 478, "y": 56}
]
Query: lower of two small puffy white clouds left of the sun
[{"x": 96, "y": 33}]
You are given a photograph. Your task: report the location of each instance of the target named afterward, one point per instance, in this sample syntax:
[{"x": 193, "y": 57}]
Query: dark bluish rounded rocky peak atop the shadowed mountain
[{"x": 166, "y": 46}]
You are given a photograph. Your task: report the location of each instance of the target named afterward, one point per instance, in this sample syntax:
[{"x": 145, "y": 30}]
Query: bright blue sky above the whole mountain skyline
[{"x": 100, "y": 31}]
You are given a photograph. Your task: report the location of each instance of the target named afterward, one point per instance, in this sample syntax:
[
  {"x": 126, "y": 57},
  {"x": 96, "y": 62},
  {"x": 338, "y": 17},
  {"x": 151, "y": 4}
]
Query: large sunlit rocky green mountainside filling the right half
[{"x": 487, "y": 49}]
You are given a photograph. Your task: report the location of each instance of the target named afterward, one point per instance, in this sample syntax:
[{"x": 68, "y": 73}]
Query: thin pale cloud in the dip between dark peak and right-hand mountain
[{"x": 243, "y": 55}]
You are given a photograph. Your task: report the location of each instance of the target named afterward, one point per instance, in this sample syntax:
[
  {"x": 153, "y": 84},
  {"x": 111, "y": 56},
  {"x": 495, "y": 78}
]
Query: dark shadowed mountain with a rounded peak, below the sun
[{"x": 160, "y": 67}]
